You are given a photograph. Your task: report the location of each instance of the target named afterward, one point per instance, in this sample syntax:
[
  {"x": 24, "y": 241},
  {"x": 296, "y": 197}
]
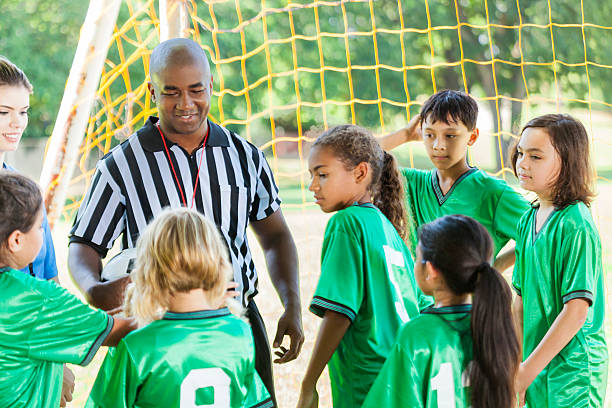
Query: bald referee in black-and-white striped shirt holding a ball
[{"x": 183, "y": 159}]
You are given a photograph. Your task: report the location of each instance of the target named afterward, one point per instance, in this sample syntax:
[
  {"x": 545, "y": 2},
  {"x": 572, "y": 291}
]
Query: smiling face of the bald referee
[{"x": 182, "y": 94}]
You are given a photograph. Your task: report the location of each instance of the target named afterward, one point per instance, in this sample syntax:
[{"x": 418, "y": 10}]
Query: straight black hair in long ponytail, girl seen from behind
[{"x": 460, "y": 248}]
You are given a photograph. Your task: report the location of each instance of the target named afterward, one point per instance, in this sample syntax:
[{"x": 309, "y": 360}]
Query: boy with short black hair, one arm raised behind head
[{"x": 447, "y": 126}]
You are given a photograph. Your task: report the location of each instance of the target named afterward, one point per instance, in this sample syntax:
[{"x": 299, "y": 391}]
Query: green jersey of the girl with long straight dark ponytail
[{"x": 427, "y": 366}]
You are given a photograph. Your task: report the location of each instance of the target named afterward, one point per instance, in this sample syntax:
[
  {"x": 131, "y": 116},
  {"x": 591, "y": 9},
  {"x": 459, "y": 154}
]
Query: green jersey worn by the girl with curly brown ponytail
[{"x": 367, "y": 275}]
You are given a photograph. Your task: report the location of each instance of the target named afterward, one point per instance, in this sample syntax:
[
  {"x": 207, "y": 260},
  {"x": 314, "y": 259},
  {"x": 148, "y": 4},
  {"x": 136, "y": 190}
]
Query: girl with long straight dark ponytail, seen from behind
[{"x": 464, "y": 350}]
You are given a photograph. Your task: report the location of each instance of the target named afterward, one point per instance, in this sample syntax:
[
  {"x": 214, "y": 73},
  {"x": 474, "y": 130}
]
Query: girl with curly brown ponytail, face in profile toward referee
[{"x": 367, "y": 289}]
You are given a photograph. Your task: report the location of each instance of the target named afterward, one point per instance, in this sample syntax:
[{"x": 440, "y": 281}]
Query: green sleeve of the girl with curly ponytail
[{"x": 341, "y": 286}]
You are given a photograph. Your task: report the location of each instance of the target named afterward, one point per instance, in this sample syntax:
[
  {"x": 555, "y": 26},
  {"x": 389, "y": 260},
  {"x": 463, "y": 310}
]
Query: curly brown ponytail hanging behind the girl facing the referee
[{"x": 389, "y": 196}]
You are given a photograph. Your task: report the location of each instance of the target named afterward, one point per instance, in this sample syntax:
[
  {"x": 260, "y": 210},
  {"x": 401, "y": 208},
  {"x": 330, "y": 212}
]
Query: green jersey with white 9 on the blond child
[{"x": 184, "y": 360}]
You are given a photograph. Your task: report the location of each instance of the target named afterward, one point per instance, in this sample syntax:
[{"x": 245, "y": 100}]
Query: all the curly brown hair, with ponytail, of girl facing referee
[{"x": 353, "y": 145}]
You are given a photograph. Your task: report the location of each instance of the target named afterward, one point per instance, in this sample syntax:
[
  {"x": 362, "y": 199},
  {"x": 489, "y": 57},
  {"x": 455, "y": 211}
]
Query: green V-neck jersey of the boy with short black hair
[{"x": 489, "y": 200}]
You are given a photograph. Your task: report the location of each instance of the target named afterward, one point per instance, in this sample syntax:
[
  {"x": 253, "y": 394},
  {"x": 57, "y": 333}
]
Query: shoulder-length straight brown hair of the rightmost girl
[{"x": 571, "y": 142}]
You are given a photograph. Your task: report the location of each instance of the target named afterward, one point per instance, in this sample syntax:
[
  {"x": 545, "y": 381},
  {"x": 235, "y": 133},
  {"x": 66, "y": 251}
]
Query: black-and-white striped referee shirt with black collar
[{"x": 134, "y": 181}]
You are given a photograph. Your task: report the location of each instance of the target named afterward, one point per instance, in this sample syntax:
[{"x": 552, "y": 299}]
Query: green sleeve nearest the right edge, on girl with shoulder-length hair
[{"x": 579, "y": 260}]
